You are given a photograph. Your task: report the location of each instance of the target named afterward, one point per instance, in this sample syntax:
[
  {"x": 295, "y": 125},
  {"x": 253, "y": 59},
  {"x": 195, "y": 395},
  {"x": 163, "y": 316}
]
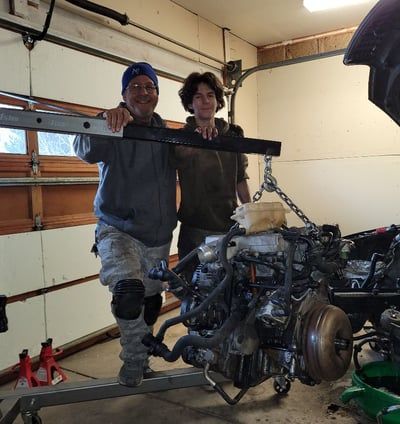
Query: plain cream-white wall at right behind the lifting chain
[{"x": 340, "y": 153}]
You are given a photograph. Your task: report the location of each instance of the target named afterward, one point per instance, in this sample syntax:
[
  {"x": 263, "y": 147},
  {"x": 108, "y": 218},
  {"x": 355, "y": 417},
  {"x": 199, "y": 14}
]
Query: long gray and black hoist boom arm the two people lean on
[{"x": 51, "y": 122}]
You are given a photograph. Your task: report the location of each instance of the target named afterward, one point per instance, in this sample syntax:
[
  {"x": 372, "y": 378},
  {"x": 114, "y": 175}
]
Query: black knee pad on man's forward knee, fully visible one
[{"x": 128, "y": 297}]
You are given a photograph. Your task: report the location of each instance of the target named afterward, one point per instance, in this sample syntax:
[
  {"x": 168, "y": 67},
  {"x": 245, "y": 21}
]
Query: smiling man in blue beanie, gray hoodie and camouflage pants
[{"x": 136, "y": 210}]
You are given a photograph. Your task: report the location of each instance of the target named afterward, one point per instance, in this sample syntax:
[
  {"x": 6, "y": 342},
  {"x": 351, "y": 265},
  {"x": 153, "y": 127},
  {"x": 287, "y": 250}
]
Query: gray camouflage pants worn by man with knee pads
[{"x": 123, "y": 257}]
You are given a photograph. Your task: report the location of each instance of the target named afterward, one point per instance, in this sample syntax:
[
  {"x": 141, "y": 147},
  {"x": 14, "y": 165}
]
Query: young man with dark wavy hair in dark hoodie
[{"x": 210, "y": 180}]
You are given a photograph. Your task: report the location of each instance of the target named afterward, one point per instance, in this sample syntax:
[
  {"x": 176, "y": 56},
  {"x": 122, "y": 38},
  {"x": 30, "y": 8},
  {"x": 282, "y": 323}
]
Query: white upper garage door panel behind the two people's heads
[{"x": 84, "y": 79}]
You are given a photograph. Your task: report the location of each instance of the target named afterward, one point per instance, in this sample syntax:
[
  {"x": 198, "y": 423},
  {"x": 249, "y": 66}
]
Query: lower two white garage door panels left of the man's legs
[{"x": 32, "y": 261}]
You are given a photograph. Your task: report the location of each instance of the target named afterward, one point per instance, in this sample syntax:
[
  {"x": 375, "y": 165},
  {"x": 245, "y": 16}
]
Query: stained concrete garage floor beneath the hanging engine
[{"x": 303, "y": 404}]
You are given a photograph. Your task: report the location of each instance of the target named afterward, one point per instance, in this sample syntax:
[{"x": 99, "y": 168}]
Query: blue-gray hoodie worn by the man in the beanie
[{"x": 137, "y": 187}]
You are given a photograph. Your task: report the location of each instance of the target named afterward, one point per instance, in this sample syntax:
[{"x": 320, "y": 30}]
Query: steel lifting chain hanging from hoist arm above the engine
[{"x": 270, "y": 185}]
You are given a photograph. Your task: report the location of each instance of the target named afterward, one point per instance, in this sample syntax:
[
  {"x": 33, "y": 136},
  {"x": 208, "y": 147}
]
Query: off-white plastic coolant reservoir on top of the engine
[{"x": 261, "y": 216}]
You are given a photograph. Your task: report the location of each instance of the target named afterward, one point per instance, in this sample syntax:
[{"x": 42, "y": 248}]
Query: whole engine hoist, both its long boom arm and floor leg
[{"x": 29, "y": 401}]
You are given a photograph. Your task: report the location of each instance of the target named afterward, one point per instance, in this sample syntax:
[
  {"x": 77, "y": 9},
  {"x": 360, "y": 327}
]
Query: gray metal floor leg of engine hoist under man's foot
[{"x": 29, "y": 401}]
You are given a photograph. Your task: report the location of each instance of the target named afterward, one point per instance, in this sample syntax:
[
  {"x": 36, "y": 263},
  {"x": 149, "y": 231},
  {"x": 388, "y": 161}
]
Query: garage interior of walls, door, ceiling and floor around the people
[{"x": 339, "y": 162}]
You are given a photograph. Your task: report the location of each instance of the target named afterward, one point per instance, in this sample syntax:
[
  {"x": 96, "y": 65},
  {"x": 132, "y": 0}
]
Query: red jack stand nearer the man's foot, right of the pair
[{"x": 49, "y": 372}]
